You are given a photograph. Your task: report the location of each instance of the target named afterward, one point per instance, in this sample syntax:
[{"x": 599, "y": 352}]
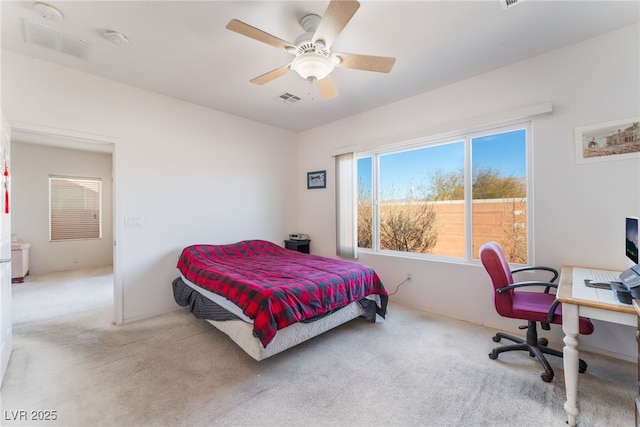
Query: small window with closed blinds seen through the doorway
[{"x": 75, "y": 208}]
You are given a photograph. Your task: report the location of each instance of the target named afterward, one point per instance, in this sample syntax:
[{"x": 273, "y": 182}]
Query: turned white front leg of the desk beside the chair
[{"x": 571, "y": 360}]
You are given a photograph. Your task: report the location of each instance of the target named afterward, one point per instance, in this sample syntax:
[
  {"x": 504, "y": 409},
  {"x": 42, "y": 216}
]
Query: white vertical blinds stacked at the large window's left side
[{"x": 346, "y": 244}]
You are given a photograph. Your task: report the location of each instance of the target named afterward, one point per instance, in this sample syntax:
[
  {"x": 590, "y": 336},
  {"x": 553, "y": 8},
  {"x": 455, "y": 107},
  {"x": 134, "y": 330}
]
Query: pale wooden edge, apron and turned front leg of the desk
[{"x": 571, "y": 309}]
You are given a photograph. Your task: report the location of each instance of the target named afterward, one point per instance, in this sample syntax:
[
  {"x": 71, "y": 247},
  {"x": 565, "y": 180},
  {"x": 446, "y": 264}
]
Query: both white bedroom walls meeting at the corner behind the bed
[{"x": 197, "y": 175}]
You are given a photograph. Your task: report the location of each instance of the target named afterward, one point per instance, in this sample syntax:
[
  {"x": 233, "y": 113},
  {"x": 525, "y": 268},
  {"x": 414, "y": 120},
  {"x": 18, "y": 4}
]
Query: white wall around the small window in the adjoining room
[{"x": 31, "y": 166}]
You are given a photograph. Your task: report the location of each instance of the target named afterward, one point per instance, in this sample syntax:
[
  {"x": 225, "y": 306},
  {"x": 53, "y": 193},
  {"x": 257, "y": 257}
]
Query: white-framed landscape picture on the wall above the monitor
[{"x": 615, "y": 140}]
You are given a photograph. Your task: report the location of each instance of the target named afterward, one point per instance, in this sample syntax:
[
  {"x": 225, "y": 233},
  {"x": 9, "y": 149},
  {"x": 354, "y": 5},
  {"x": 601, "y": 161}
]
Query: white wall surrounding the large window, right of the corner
[{"x": 579, "y": 210}]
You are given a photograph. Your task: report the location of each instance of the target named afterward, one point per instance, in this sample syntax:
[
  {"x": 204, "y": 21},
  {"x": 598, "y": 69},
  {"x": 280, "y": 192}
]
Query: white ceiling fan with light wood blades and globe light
[{"x": 314, "y": 60}]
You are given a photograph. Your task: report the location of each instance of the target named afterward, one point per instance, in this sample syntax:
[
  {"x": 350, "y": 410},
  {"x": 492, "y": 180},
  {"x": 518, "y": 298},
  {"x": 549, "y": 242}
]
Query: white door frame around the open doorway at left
[{"x": 73, "y": 139}]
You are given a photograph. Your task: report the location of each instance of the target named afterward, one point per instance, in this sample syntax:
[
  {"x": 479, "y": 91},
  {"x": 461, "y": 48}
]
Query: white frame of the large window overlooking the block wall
[{"x": 466, "y": 136}]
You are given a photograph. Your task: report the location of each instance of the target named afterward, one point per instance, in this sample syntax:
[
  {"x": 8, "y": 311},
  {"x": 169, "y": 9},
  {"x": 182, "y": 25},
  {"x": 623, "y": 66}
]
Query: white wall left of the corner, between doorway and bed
[{"x": 193, "y": 174}]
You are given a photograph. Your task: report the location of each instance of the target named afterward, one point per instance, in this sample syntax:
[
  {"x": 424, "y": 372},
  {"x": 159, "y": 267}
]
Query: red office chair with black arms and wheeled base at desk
[{"x": 530, "y": 306}]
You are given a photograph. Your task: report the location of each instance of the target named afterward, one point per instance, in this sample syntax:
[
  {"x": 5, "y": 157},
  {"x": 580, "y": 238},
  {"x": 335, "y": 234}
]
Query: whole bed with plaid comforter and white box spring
[{"x": 267, "y": 298}]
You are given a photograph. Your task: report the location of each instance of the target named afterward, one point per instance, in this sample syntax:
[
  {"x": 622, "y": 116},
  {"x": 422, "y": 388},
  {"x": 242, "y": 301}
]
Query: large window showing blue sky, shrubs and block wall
[{"x": 446, "y": 197}]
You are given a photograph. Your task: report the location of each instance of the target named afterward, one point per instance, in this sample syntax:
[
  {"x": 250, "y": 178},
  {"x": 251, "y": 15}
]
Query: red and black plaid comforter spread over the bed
[{"x": 276, "y": 287}]
